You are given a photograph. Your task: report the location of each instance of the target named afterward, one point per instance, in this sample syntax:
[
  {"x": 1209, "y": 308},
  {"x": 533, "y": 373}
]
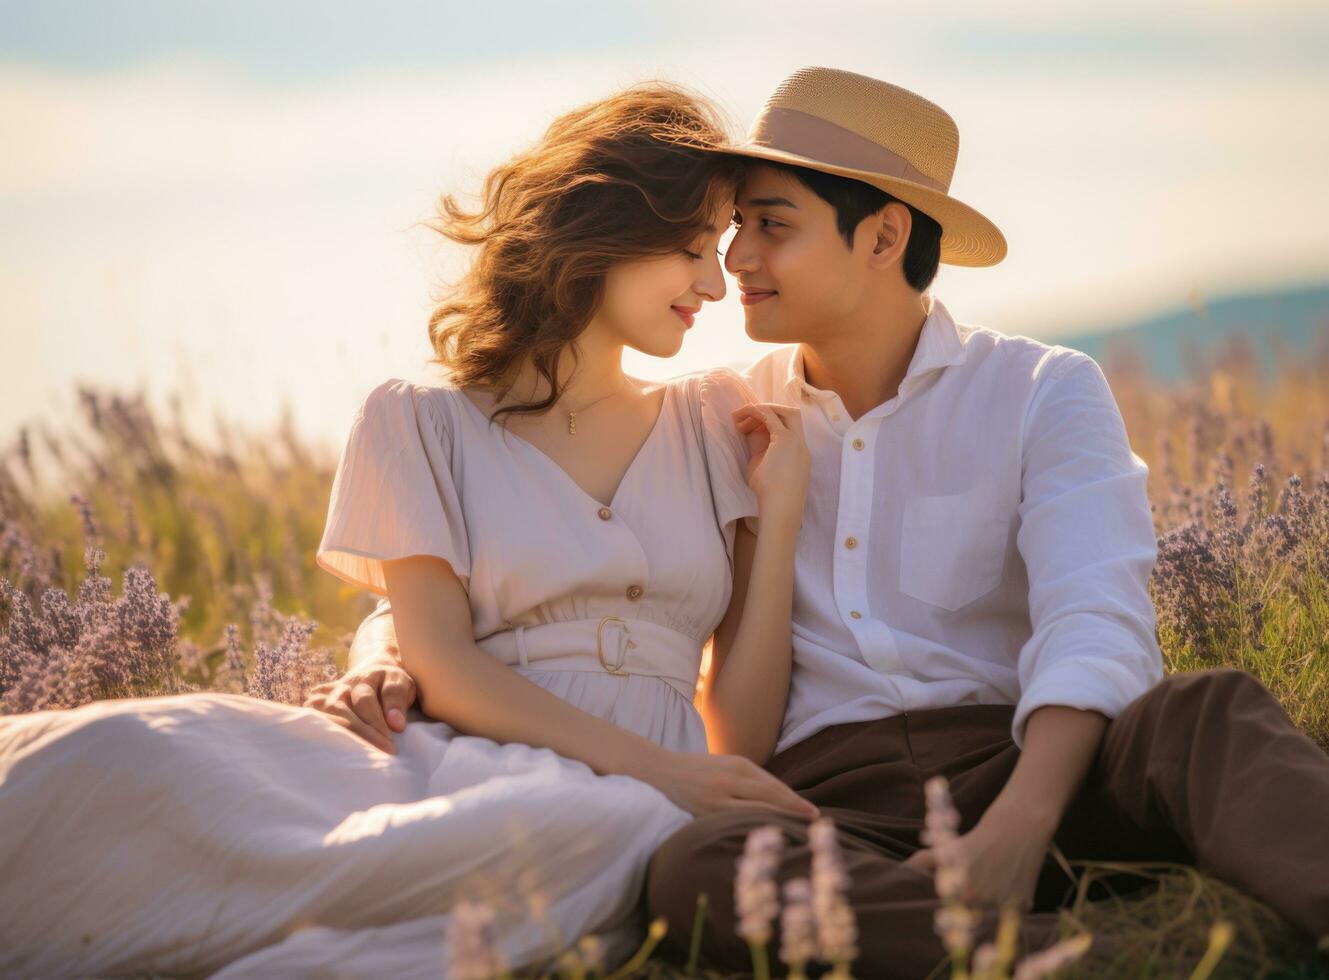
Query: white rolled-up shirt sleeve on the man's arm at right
[{"x": 1089, "y": 546}]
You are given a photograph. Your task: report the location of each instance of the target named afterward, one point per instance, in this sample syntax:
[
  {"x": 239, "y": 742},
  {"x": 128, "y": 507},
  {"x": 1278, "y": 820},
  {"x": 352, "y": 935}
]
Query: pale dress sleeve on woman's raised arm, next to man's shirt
[{"x": 728, "y": 455}]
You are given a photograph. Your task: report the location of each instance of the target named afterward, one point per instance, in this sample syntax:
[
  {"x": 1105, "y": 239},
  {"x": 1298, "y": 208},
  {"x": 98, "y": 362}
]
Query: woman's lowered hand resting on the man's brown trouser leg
[{"x": 705, "y": 784}]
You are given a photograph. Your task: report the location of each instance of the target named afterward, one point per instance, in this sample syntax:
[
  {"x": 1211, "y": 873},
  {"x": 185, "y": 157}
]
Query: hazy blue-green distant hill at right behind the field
[{"x": 1292, "y": 318}]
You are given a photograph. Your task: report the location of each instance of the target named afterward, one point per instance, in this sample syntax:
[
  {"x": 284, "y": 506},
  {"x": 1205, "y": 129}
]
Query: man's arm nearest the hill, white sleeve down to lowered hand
[{"x": 1089, "y": 546}]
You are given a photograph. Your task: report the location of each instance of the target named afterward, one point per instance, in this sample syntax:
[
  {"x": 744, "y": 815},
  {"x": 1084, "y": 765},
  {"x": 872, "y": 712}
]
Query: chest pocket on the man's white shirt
[{"x": 954, "y": 546}]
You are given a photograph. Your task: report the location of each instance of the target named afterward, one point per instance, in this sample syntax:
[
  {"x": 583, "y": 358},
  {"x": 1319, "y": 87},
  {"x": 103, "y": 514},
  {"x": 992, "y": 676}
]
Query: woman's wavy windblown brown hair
[{"x": 623, "y": 179}]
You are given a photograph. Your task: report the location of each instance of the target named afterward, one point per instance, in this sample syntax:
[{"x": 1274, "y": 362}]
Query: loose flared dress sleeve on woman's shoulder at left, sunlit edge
[{"x": 394, "y": 495}]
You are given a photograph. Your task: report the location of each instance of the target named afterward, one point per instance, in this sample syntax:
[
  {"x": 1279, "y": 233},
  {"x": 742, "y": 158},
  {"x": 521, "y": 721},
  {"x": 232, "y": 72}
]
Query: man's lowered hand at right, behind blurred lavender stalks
[{"x": 1003, "y": 854}]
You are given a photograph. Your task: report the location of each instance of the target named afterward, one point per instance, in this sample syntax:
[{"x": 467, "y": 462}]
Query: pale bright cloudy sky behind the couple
[{"x": 225, "y": 199}]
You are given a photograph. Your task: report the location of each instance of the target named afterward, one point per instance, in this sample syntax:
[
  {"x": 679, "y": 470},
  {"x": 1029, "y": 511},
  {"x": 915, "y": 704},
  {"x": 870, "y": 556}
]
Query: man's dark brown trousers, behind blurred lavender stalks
[{"x": 1205, "y": 769}]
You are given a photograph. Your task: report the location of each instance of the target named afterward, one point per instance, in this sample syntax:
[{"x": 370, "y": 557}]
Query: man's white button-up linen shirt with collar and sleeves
[{"x": 984, "y": 537}]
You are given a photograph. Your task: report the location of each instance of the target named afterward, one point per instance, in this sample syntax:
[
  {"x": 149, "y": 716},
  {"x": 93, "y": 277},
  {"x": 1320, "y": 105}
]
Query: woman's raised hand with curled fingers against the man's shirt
[{"x": 781, "y": 463}]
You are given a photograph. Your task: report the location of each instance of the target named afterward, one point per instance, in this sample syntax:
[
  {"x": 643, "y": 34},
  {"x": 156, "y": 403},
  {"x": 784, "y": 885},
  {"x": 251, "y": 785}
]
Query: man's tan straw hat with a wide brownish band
[{"x": 849, "y": 124}]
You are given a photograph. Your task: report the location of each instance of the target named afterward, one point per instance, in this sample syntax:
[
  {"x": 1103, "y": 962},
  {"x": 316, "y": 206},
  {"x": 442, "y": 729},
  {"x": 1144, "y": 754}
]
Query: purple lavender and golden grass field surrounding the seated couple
[{"x": 136, "y": 562}]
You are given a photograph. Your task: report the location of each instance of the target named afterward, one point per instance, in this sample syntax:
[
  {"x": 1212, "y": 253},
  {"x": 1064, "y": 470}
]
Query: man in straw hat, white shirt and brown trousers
[{"x": 972, "y": 582}]
